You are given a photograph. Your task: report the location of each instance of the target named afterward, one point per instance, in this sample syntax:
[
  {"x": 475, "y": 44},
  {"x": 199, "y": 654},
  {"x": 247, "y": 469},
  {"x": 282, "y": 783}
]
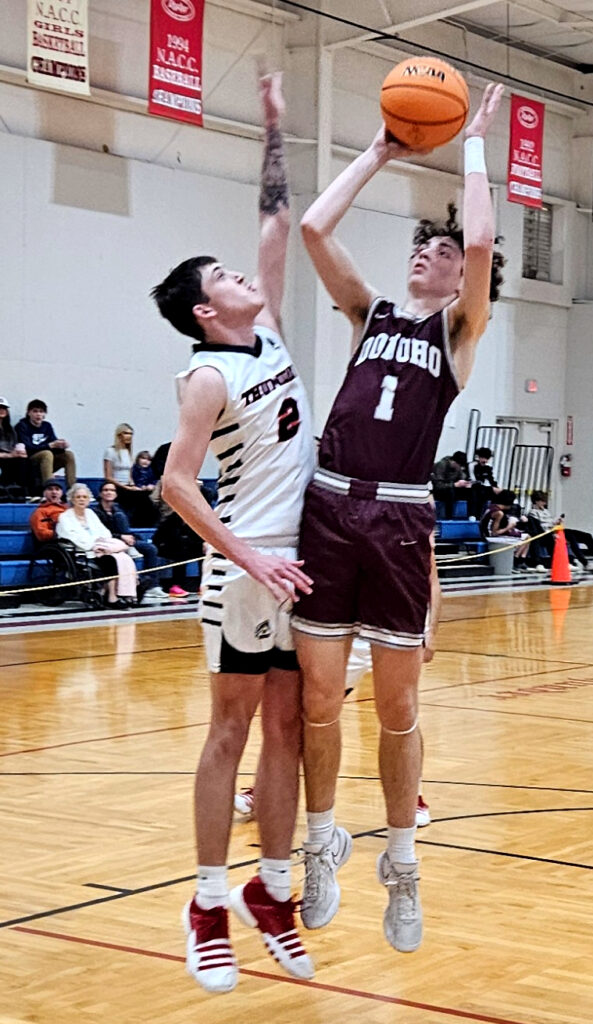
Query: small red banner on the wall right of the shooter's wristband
[{"x": 526, "y": 151}]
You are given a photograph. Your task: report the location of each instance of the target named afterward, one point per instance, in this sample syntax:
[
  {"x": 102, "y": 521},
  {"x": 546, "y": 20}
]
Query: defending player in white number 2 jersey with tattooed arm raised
[{"x": 242, "y": 396}]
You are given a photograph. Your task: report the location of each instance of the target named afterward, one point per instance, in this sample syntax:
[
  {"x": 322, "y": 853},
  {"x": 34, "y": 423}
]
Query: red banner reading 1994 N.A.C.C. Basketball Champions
[{"x": 176, "y": 76}]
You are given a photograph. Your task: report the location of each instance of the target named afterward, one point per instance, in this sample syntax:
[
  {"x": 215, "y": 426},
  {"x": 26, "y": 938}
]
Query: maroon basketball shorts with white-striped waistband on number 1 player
[{"x": 367, "y": 548}]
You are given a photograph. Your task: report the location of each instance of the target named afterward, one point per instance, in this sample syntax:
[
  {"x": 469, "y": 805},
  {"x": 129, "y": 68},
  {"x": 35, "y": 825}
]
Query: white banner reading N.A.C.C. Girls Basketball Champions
[{"x": 58, "y": 45}]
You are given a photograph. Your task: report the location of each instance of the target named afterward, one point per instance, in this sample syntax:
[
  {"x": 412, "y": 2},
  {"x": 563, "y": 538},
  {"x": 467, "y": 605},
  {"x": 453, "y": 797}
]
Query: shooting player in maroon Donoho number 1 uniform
[{"x": 368, "y": 518}]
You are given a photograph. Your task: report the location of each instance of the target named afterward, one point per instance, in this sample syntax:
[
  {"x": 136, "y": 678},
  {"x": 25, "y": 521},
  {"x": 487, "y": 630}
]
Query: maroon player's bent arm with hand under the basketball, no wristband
[{"x": 333, "y": 264}]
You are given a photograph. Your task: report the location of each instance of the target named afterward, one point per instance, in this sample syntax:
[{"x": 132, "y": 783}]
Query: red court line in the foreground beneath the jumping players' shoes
[{"x": 315, "y": 986}]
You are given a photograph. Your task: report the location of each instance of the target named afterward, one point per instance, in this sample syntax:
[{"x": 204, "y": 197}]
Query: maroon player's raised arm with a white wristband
[{"x": 470, "y": 314}]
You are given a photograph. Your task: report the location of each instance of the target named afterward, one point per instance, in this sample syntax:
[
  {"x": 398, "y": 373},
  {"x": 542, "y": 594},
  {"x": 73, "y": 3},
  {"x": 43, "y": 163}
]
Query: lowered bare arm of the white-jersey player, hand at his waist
[{"x": 204, "y": 398}]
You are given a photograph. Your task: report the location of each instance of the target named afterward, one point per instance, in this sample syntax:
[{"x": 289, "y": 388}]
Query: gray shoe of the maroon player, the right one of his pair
[{"x": 403, "y": 919}]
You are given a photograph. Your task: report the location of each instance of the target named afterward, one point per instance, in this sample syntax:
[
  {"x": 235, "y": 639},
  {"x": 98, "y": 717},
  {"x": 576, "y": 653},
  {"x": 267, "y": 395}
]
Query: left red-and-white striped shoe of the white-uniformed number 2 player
[{"x": 210, "y": 959}]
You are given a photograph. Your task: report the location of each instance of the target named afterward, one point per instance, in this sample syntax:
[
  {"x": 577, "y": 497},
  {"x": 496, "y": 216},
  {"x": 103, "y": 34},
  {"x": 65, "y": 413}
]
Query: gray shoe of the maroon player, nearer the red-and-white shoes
[{"x": 322, "y": 892}]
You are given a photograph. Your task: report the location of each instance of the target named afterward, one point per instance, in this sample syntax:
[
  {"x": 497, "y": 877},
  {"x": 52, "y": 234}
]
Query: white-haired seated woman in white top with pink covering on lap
[{"x": 81, "y": 527}]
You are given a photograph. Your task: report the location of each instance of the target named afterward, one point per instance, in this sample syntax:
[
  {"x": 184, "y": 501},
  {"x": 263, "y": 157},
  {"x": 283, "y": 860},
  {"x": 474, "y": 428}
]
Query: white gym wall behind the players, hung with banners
[{"x": 99, "y": 201}]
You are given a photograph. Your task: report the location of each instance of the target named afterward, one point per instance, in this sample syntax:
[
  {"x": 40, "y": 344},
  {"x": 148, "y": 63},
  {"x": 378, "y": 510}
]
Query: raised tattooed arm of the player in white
[{"x": 274, "y": 204}]
